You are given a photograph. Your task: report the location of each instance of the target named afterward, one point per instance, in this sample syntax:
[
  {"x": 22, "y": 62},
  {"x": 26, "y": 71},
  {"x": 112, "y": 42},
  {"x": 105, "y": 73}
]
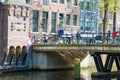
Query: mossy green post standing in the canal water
[{"x": 77, "y": 68}]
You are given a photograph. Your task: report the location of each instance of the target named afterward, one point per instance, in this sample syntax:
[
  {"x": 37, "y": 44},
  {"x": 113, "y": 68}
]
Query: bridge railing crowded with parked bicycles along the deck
[{"x": 84, "y": 38}]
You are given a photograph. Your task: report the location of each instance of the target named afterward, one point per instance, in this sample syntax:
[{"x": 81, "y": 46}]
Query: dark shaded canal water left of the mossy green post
[{"x": 38, "y": 75}]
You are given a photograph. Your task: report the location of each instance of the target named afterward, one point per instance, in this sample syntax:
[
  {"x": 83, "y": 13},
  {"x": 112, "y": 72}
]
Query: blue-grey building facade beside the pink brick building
[{"x": 88, "y": 15}]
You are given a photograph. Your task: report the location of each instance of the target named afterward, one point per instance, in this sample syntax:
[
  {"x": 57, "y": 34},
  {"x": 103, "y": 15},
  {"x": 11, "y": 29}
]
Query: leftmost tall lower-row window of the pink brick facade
[{"x": 35, "y": 21}]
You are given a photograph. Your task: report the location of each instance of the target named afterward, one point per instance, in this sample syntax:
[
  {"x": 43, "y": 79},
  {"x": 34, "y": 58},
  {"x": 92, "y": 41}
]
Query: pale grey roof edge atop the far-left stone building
[{"x": 16, "y": 2}]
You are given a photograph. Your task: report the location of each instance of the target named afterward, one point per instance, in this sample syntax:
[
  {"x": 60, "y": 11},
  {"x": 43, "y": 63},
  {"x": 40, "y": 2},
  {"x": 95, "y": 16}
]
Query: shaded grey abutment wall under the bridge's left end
[{"x": 49, "y": 60}]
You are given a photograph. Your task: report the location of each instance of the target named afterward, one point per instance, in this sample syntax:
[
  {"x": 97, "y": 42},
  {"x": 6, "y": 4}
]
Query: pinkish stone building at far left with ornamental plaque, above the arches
[{"x": 14, "y": 24}]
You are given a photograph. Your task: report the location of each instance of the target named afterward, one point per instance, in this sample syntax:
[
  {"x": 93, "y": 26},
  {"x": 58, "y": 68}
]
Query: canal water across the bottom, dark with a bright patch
[{"x": 51, "y": 75}]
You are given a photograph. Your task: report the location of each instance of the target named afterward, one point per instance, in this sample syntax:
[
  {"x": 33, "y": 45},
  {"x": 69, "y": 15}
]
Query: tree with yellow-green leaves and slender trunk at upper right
[{"x": 108, "y": 5}]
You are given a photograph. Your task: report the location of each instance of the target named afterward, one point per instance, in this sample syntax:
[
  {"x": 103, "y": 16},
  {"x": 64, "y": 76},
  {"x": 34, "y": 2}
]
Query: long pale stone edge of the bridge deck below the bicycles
[{"x": 80, "y": 48}]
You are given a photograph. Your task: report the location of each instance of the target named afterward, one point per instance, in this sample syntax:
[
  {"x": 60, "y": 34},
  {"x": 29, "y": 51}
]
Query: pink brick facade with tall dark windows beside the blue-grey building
[{"x": 50, "y": 16}]
